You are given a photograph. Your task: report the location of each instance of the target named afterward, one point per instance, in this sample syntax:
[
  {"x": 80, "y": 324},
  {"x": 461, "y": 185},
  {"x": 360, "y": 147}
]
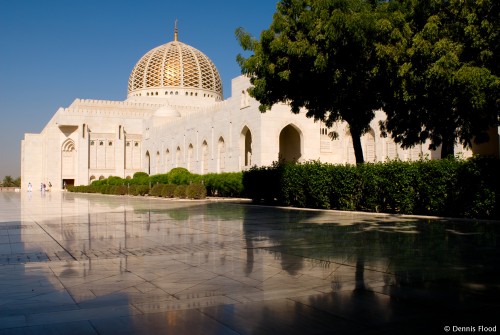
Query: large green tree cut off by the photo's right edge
[{"x": 444, "y": 75}]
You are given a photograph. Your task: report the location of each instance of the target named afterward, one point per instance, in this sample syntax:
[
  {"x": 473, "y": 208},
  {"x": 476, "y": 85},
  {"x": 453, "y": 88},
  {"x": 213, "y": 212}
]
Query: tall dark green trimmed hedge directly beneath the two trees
[{"x": 450, "y": 187}]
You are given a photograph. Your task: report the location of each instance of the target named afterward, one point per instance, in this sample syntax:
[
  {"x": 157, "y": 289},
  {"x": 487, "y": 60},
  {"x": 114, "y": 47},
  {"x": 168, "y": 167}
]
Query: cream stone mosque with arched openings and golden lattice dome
[{"x": 175, "y": 116}]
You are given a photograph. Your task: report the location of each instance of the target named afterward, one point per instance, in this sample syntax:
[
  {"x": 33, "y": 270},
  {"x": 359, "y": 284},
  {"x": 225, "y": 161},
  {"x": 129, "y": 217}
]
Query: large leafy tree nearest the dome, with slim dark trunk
[{"x": 319, "y": 55}]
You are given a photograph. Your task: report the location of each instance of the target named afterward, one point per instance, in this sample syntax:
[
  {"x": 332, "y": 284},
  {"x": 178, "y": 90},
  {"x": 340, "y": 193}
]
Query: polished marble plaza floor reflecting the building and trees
[{"x": 96, "y": 264}]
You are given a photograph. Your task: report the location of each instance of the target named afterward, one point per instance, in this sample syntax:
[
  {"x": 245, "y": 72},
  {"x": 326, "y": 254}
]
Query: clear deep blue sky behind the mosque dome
[{"x": 54, "y": 51}]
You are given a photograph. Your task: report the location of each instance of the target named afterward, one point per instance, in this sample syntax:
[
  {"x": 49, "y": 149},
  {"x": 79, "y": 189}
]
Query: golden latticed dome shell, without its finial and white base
[{"x": 175, "y": 64}]
